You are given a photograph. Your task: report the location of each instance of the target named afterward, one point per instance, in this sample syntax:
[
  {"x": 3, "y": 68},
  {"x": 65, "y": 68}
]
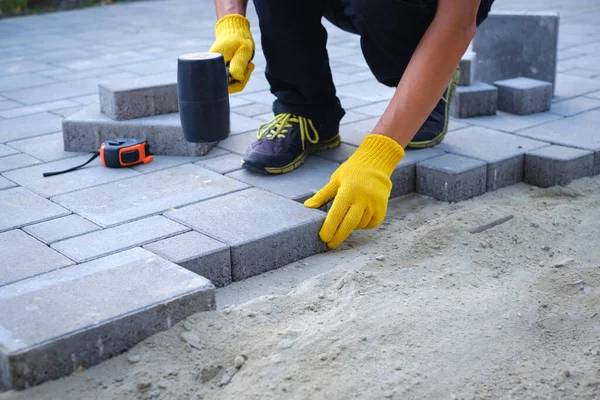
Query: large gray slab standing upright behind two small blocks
[{"x": 517, "y": 44}]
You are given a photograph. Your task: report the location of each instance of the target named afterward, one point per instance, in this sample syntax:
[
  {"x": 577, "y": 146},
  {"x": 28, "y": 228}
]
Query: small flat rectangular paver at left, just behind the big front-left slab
[{"x": 61, "y": 228}]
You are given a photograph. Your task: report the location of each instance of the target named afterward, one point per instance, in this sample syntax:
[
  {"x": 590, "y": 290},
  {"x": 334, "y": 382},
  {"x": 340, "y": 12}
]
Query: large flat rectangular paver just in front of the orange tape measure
[{"x": 148, "y": 194}]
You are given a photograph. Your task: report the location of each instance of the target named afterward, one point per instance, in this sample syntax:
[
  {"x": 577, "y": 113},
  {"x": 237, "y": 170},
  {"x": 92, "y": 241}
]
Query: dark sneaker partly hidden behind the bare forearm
[{"x": 435, "y": 127}]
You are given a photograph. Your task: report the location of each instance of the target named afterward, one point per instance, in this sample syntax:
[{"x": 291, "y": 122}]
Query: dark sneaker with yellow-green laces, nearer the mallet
[{"x": 284, "y": 142}]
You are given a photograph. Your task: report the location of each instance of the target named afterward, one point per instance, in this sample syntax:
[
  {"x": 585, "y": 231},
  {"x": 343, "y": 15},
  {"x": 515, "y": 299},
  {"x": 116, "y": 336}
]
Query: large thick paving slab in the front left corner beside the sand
[{"x": 80, "y": 316}]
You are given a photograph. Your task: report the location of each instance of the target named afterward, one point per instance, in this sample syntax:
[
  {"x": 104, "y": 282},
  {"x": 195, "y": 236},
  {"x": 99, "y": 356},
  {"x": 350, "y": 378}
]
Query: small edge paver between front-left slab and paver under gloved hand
[{"x": 198, "y": 253}]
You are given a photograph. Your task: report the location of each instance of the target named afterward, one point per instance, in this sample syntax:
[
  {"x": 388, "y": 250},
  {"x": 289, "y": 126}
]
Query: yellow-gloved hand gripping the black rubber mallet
[{"x": 234, "y": 41}]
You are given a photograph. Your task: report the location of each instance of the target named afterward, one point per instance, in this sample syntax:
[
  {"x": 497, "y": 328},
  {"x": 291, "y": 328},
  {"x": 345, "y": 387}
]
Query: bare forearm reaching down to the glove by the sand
[{"x": 430, "y": 69}]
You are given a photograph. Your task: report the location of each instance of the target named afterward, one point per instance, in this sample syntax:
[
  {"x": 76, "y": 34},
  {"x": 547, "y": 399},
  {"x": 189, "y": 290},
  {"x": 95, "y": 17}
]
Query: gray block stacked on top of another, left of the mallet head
[{"x": 141, "y": 97}]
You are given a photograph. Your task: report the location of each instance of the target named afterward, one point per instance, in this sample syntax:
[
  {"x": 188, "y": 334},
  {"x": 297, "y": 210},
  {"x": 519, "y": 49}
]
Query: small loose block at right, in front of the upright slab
[{"x": 523, "y": 96}]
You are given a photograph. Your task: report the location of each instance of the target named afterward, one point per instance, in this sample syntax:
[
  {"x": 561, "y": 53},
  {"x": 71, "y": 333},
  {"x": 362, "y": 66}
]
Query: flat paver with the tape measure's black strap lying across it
[{"x": 92, "y": 174}]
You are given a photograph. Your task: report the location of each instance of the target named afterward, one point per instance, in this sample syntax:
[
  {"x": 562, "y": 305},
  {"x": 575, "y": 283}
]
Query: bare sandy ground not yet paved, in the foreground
[{"x": 417, "y": 309}]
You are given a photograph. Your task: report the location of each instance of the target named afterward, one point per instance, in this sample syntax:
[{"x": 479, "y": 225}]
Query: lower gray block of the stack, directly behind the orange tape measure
[{"x": 87, "y": 129}]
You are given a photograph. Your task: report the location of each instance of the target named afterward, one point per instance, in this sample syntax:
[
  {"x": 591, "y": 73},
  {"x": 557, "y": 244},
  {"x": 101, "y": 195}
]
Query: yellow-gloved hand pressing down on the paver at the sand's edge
[{"x": 361, "y": 187}]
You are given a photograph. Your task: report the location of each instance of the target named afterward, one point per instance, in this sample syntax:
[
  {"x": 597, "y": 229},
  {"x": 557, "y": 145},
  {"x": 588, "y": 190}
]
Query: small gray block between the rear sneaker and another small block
[{"x": 476, "y": 100}]
